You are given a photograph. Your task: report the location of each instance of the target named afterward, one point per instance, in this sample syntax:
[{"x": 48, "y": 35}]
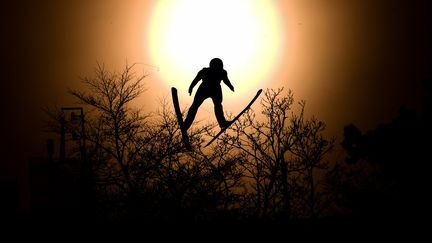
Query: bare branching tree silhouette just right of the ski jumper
[{"x": 282, "y": 151}]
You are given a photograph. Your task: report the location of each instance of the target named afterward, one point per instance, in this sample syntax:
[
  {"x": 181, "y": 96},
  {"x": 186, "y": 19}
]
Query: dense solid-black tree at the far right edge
[{"x": 384, "y": 177}]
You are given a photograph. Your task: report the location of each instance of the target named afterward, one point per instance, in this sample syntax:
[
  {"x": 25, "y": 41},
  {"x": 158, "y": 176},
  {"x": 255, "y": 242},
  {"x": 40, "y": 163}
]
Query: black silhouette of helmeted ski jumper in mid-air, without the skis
[{"x": 210, "y": 88}]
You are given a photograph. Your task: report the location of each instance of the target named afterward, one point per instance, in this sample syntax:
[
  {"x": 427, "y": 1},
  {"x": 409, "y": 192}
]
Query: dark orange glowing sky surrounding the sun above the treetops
[{"x": 352, "y": 61}]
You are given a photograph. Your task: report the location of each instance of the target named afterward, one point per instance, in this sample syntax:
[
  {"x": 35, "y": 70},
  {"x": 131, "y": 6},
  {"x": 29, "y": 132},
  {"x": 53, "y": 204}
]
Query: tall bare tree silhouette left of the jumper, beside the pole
[{"x": 114, "y": 129}]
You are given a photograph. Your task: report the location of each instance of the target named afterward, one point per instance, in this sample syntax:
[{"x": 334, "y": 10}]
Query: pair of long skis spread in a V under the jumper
[{"x": 185, "y": 137}]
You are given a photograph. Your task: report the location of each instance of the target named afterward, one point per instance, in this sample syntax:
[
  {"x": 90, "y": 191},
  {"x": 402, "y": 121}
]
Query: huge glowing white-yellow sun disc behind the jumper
[{"x": 185, "y": 35}]
